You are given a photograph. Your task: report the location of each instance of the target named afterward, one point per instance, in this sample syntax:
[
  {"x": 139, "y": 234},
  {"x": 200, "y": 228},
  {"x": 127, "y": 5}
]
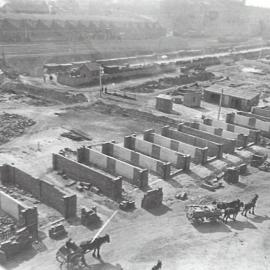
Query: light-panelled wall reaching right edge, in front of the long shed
[{"x": 250, "y": 122}]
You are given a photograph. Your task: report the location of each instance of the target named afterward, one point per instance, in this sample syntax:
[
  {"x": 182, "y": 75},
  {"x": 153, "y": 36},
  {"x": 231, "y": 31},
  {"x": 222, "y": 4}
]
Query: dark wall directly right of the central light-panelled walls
[{"x": 214, "y": 149}]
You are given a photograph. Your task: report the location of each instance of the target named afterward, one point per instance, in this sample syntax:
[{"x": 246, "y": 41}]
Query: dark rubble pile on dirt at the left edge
[{"x": 13, "y": 125}]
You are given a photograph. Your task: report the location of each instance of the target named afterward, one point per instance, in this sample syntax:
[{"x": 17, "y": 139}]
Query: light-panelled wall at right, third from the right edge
[{"x": 252, "y": 135}]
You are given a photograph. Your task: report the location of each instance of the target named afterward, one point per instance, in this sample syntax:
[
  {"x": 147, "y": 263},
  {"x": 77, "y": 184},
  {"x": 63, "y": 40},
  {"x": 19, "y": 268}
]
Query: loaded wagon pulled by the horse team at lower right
[{"x": 203, "y": 213}]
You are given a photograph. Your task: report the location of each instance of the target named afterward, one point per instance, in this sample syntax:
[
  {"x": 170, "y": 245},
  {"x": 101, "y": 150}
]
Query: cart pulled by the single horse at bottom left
[{"x": 70, "y": 259}]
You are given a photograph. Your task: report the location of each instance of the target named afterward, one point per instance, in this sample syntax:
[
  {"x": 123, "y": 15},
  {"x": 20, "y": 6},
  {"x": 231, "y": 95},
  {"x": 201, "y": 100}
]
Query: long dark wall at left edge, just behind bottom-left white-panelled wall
[{"x": 47, "y": 193}]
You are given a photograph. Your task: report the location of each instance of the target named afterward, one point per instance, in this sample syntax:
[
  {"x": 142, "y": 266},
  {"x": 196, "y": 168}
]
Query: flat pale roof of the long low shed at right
[{"x": 242, "y": 93}]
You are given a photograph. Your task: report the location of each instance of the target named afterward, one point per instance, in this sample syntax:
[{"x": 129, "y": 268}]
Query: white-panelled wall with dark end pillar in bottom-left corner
[{"x": 25, "y": 216}]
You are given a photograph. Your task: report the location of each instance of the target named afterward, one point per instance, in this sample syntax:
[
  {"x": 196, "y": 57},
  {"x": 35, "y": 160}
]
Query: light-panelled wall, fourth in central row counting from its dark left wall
[{"x": 179, "y": 160}]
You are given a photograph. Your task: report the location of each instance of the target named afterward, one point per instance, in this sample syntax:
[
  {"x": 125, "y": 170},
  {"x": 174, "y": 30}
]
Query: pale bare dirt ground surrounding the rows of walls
[{"x": 140, "y": 238}]
